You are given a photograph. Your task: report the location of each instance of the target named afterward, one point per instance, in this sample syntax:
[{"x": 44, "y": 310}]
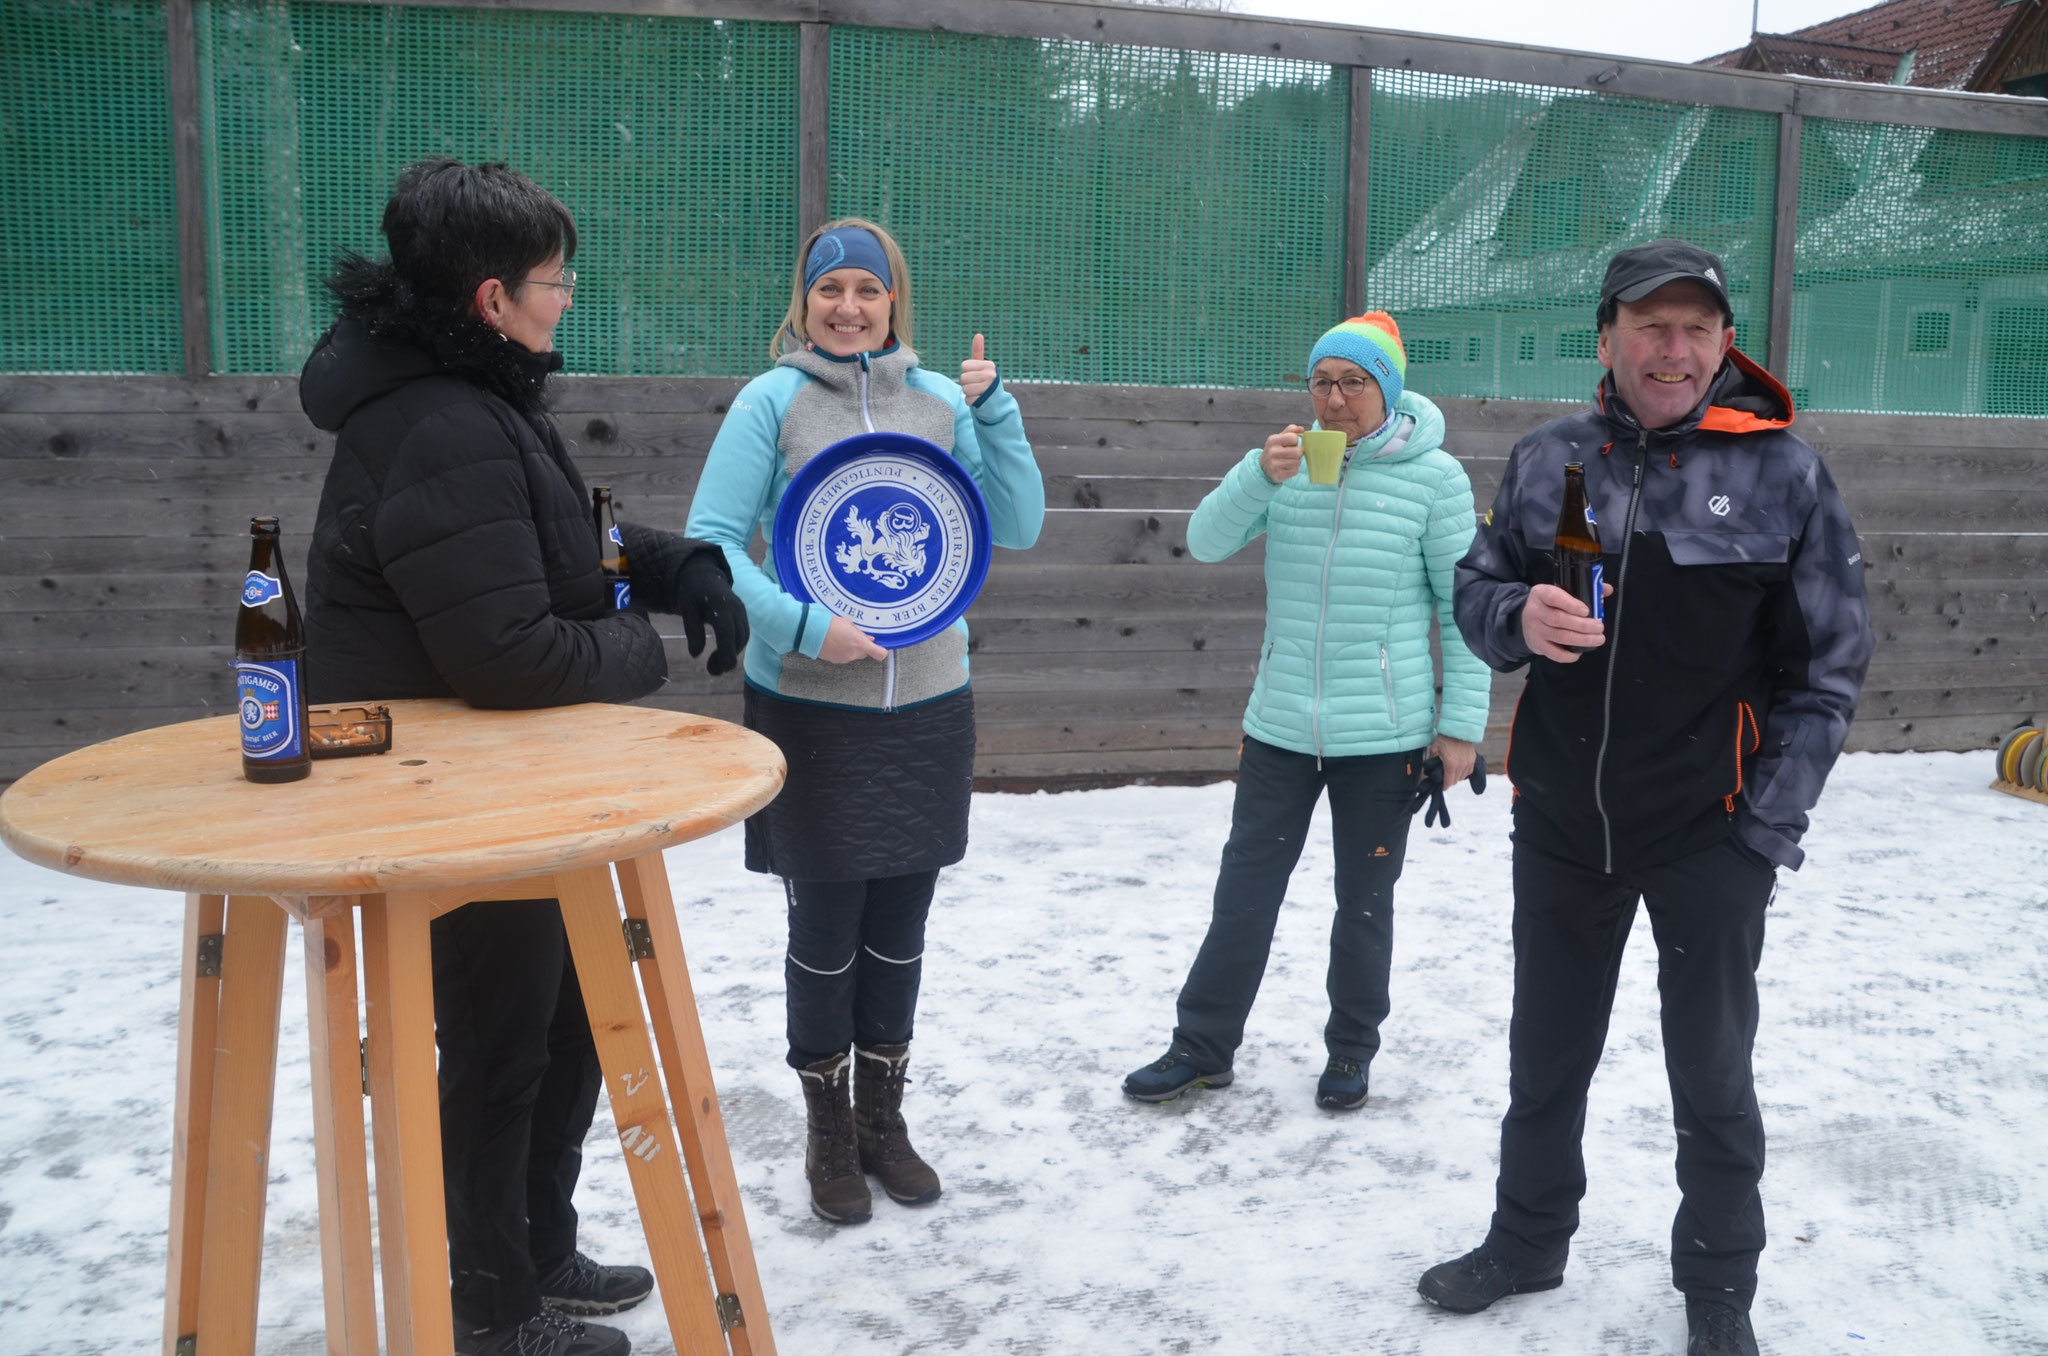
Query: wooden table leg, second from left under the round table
[{"x": 239, "y": 1140}]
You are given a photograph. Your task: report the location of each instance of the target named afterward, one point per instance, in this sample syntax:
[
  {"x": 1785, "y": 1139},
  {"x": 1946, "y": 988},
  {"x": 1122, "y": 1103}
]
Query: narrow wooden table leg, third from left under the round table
[{"x": 339, "y": 1150}]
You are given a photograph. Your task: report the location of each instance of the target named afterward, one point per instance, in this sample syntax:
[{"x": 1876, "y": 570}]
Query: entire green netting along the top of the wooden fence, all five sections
[{"x": 1105, "y": 214}]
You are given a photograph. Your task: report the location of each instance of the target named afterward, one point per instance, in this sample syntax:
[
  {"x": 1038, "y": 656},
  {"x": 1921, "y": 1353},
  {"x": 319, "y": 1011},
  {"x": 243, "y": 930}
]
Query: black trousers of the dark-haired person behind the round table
[{"x": 519, "y": 1085}]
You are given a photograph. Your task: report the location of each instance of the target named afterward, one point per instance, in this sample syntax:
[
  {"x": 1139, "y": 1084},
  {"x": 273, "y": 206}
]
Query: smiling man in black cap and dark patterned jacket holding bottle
[{"x": 1666, "y": 753}]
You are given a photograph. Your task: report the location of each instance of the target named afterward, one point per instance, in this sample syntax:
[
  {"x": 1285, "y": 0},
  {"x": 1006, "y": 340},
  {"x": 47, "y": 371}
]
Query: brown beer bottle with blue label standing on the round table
[{"x": 271, "y": 667}]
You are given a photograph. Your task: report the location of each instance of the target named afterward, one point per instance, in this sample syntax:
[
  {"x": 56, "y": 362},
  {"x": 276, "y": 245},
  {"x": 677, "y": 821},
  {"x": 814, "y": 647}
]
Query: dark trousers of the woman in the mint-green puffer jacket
[{"x": 1277, "y": 792}]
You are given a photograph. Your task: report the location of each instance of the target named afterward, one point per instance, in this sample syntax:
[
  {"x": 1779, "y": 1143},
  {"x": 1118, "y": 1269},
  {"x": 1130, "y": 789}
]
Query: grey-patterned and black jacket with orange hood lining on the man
[{"x": 1738, "y": 630}]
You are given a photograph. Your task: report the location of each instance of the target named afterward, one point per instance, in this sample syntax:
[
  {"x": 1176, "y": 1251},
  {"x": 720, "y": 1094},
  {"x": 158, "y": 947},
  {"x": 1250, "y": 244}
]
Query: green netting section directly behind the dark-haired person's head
[{"x": 671, "y": 140}]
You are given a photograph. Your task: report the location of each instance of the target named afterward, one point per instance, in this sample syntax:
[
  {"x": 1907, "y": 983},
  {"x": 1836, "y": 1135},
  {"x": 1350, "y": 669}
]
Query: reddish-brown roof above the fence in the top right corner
[{"x": 1949, "y": 42}]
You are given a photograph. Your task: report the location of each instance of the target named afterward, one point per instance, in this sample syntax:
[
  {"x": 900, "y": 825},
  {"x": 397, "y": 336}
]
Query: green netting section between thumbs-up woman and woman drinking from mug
[{"x": 1103, "y": 214}]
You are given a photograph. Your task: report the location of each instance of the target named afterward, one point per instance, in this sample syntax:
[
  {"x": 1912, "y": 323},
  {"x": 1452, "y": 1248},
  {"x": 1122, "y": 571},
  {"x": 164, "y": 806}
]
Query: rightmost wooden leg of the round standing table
[{"x": 699, "y": 1121}]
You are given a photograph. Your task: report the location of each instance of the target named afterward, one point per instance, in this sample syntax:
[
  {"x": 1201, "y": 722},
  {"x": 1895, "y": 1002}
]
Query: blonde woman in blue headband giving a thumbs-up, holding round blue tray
[{"x": 880, "y": 745}]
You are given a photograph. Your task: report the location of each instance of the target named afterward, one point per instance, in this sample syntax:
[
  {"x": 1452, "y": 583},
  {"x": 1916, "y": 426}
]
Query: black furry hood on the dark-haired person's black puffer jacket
[{"x": 386, "y": 339}]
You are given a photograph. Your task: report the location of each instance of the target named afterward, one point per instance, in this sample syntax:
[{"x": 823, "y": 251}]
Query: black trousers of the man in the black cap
[{"x": 1572, "y": 925}]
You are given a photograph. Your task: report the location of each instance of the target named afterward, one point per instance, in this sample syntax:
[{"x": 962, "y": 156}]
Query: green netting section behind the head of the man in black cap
[{"x": 1494, "y": 212}]
